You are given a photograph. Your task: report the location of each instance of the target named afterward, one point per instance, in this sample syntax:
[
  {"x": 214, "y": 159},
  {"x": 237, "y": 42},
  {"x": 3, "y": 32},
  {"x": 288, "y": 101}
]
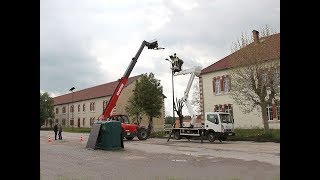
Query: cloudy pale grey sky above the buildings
[{"x": 85, "y": 43}]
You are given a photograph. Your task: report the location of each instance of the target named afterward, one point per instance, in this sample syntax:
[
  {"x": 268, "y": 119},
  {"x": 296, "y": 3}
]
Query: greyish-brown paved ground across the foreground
[{"x": 158, "y": 159}]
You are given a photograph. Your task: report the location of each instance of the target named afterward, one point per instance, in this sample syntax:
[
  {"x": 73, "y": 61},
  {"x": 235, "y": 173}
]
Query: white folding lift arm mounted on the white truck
[{"x": 195, "y": 71}]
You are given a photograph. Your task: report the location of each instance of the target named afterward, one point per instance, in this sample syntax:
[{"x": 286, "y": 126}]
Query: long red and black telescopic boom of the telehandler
[{"x": 124, "y": 79}]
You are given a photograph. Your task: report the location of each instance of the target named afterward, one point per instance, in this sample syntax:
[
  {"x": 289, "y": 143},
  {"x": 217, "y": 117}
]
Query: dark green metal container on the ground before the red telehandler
[{"x": 110, "y": 137}]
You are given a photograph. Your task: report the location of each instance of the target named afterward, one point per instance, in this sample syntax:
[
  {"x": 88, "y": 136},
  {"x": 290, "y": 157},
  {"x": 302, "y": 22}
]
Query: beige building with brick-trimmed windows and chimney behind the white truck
[{"x": 215, "y": 85}]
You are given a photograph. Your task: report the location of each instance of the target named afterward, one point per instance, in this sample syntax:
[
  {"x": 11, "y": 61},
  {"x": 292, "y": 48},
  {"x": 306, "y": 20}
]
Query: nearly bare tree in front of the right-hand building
[{"x": 255, "y": 74}]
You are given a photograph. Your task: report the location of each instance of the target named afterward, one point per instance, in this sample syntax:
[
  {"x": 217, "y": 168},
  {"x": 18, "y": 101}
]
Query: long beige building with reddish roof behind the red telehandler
[{"x": 81, "y": 108}]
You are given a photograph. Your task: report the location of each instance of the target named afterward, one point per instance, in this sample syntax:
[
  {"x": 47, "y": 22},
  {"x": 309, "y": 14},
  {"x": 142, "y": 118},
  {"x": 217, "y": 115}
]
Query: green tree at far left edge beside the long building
[{"x": 46, "y": 108}]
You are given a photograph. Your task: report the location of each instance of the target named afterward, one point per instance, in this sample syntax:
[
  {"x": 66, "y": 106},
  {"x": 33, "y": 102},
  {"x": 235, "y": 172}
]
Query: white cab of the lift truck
[{"x": 218, "y": 125}]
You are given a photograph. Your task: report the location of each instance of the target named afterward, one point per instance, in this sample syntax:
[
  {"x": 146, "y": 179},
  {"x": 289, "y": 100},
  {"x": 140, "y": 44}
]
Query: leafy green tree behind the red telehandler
[{"x": 147, "y": 97}]
